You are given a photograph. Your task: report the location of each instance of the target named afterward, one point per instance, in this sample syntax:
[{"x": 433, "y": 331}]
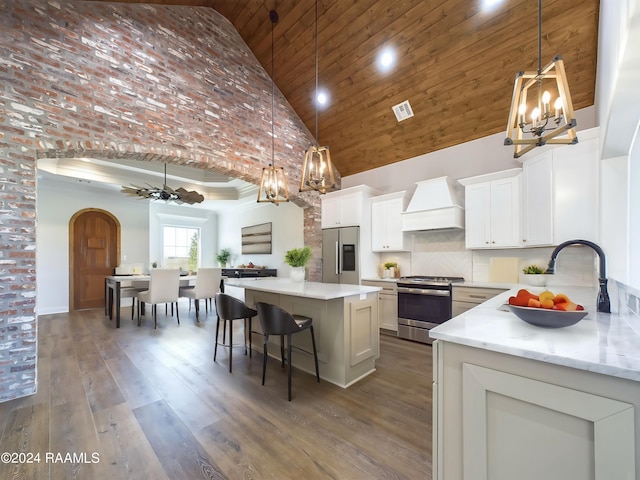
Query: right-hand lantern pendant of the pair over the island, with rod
[{"x": 317, "y": 170}]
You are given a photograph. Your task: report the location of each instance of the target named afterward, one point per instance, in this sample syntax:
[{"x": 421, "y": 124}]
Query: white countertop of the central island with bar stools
[{"x": 285, "y": 286}]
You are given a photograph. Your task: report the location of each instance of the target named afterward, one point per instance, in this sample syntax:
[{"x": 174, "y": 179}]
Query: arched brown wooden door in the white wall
[{"x": 94, "y": 243}]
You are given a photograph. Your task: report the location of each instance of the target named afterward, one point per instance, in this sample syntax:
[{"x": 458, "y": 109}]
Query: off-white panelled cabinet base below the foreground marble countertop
[{"x": 496, "y": 416}]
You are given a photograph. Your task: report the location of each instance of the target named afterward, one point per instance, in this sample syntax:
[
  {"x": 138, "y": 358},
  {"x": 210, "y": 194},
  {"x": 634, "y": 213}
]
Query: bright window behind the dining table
[{"x": 180, "y": 247}]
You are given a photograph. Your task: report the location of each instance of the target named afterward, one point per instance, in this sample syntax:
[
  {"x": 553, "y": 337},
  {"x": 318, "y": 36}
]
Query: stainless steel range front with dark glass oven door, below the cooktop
[{"x": 420, "y": 309}]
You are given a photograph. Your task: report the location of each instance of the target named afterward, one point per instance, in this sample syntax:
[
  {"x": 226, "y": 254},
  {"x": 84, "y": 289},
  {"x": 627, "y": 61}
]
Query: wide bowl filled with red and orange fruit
[{"x": 546, "y": 309}]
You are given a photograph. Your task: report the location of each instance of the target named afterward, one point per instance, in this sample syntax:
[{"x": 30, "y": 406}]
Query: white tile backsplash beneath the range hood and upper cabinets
[{"x": 443, "y": 253}]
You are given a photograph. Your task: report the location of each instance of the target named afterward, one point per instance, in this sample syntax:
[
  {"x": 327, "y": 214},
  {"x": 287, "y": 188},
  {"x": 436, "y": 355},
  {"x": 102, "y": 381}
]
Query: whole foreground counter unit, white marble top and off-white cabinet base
[{"x": 512, "y": 400}]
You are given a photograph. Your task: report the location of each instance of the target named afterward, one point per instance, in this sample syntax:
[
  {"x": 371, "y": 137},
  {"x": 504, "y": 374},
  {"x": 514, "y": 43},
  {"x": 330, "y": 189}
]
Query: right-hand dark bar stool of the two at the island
[{"x": 276, "y": 321}]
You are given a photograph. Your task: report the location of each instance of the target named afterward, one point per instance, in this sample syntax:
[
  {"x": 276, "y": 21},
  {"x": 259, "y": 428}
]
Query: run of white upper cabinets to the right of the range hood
[{"x": 552, "y": 199}]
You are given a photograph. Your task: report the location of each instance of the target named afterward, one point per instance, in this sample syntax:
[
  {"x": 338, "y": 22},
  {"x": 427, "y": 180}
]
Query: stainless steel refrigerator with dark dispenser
[{"x": 341, "y": 255}]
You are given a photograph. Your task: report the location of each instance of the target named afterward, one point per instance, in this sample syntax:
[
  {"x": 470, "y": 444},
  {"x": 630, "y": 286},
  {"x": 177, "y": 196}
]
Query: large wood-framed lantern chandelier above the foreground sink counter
[{"x": 533, "y": 122}]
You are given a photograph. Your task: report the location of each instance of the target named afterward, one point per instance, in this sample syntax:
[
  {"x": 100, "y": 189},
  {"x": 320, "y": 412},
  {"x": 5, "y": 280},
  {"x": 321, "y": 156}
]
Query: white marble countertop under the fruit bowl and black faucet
[{"x": 606, "y": 343}]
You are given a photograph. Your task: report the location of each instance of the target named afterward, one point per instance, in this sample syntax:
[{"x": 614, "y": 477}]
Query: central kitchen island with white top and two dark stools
[{"x": 345, "y": 321}]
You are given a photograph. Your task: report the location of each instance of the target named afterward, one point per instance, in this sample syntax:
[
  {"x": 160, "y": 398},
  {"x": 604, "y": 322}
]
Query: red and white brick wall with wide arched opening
[{"x": 146, "y": 82}]
